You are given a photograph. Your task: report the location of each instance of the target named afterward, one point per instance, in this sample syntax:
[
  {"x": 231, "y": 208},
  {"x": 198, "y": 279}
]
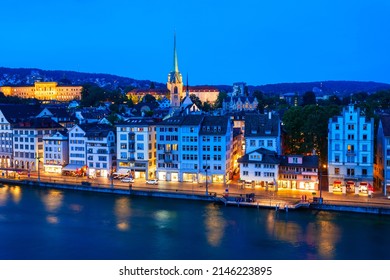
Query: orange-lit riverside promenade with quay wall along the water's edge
[{"x": 228, "y": 194}]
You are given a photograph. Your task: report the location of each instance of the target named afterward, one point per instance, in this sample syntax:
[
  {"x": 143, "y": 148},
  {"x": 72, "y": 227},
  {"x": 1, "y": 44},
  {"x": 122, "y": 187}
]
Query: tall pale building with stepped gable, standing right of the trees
[{"x": 350, "y": 151}]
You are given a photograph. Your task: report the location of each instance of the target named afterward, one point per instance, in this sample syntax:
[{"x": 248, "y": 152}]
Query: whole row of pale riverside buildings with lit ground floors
[{"x": 195, "y": 148}]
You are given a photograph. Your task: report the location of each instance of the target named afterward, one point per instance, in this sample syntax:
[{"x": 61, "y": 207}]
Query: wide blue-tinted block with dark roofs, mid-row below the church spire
[{"x": 192, "y": 148}]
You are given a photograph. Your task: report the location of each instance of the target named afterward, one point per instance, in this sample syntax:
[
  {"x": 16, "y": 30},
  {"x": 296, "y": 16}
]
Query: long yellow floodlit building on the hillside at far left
[{"x": 44, "y": 91}]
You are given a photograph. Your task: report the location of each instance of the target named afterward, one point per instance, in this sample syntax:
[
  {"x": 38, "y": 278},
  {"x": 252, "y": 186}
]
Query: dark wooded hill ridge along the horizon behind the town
[{"x": 27, "y": 76}]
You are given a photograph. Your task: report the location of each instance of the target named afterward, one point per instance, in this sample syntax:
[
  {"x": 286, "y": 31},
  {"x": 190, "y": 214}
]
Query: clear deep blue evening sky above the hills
[{"x": 218, "y": 42}]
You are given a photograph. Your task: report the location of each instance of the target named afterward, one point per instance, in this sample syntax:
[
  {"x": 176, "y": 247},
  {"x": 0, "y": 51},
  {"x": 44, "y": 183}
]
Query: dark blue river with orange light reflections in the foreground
[{"x": 54, "y": 224}]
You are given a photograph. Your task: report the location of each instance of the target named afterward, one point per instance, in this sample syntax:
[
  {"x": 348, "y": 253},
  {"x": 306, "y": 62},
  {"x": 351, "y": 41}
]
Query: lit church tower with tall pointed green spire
[{"x": 175, "y": 80}]
